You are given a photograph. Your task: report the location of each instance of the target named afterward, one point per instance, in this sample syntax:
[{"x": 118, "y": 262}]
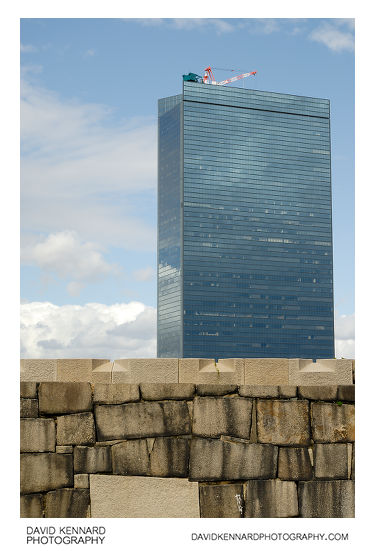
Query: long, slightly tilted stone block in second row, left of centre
[{"x": 142, "y": 419}]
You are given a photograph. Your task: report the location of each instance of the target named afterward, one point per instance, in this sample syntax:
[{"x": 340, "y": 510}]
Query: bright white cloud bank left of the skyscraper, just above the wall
[{"x": 89, "y": 331}]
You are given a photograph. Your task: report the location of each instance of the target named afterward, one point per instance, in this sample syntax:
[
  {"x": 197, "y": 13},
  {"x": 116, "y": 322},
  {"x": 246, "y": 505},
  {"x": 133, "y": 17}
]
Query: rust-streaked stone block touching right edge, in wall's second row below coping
[{"x": 332, "y": 422}]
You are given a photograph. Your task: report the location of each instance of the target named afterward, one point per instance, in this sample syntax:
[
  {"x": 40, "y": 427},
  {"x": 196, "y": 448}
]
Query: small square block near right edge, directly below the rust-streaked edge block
[{"x": 331, "y": 461}]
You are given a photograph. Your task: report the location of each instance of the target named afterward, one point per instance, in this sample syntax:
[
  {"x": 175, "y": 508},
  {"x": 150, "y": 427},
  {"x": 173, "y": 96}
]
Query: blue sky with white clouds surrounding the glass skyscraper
[{"x": 88, "y": 162}]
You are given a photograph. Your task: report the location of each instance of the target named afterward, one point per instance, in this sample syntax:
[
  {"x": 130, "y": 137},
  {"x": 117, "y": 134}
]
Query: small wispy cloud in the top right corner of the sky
[{"x": 331, "y": 35}]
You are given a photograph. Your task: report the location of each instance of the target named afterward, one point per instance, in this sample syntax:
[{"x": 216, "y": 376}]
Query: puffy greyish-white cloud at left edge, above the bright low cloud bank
[{"x": 65, "y": 255}]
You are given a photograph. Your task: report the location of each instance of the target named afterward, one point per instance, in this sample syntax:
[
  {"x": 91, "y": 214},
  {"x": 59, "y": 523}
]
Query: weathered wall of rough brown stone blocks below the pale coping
[{"x": 187, "y": 449}]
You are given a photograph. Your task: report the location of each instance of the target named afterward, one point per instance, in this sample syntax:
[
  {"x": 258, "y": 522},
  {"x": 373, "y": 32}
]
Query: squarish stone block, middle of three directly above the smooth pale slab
[{"x": 131, "y": 458}]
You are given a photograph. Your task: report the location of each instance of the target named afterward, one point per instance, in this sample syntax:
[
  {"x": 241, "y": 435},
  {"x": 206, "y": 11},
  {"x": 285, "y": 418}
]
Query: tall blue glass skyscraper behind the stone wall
[{"x": 244, "y": 225}]
